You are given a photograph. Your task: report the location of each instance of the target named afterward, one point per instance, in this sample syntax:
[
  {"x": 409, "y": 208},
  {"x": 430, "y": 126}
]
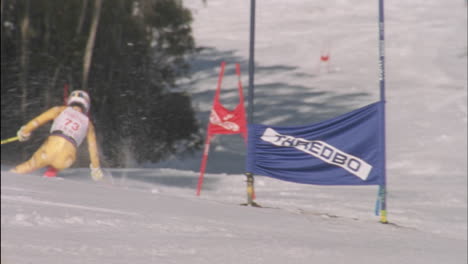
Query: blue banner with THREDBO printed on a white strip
[{"x": 345, "y": 150}]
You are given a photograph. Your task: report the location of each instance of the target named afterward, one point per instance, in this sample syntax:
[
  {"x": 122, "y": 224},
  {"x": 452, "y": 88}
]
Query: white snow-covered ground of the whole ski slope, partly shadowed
[{"x": 151, "y": 215}]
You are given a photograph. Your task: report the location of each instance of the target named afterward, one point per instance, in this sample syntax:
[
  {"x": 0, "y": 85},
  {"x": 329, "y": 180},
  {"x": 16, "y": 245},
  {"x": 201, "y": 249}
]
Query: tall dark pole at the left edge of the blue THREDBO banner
[{"x": 250, "y": 176}]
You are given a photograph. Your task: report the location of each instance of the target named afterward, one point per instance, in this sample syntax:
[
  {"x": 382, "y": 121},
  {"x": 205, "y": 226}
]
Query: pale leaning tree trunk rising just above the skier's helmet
[{"x": 90, "y": 44}]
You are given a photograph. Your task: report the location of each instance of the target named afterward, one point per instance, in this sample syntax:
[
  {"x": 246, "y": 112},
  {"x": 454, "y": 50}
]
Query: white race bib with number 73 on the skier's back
[{"x": 72, "y": 123}]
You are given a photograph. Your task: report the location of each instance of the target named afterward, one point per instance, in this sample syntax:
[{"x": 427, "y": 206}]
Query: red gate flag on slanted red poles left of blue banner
[{"x": 223, "y": 120}]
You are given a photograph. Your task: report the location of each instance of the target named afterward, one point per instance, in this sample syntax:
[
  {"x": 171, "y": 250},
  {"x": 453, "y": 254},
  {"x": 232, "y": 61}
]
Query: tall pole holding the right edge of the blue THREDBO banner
[{"x": 383, "y": 187}]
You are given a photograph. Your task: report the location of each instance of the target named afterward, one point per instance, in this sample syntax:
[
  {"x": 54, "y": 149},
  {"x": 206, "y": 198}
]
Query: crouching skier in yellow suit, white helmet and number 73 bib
[{"x": 69, "y": 128}]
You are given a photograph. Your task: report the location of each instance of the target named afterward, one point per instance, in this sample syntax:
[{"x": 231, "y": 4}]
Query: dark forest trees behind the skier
[{"x": 128, "y": 54}]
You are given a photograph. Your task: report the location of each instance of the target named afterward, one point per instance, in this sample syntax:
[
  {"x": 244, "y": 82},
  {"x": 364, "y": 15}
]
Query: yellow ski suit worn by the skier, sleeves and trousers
[{"x": 57, "y": 151}]
